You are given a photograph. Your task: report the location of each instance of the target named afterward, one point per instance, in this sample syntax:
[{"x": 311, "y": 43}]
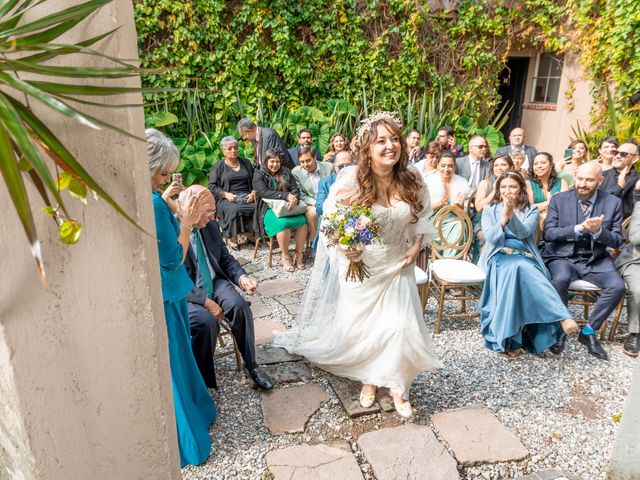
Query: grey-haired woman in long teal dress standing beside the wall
[{"x": 194, "y": 407}]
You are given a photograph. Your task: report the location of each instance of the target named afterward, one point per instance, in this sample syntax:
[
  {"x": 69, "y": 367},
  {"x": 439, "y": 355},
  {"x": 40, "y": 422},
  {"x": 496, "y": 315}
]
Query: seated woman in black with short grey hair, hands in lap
[{"x": 231, "y": 182}]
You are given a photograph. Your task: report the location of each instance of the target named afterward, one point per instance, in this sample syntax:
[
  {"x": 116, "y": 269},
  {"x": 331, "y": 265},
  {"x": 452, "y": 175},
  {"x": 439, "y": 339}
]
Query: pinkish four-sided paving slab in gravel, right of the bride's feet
[{"x": 476, "y": 436}]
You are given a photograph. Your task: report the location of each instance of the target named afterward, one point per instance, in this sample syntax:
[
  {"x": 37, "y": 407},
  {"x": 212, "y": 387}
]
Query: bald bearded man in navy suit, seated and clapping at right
[{"x": 581, "y": 224}]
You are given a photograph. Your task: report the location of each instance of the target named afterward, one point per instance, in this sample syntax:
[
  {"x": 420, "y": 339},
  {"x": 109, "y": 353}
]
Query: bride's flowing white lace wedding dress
[{"x": 372, "y": 332}]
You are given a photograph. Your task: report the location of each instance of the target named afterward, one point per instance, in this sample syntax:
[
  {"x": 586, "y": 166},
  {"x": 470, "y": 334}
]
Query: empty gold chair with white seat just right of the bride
[{"x": 453, "y": 271}]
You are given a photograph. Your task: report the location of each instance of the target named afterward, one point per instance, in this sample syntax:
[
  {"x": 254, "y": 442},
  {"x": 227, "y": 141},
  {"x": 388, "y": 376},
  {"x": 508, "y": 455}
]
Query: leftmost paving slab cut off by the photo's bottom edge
[{"x": 318, "y": 462}]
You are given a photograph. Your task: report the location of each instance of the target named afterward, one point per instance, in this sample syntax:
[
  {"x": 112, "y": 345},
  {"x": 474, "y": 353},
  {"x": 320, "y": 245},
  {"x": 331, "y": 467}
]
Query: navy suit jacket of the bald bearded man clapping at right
[{"x": 562, "y": 217}]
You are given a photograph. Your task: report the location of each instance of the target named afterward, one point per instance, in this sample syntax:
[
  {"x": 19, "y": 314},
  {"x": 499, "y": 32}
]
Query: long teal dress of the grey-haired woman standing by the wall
[{"x": 194, "y": 408}]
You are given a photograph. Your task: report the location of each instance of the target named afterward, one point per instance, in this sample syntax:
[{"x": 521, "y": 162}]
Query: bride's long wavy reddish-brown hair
[{"x": 405, "y": 182}]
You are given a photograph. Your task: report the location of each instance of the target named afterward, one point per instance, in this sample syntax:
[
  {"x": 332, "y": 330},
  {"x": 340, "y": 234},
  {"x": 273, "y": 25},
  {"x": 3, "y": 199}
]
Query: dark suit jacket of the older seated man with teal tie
[{"x": 223, "y": 263}]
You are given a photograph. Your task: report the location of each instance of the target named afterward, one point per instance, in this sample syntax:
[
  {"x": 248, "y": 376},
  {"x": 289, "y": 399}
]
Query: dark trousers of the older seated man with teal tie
[{"x": 205, "y": 329}]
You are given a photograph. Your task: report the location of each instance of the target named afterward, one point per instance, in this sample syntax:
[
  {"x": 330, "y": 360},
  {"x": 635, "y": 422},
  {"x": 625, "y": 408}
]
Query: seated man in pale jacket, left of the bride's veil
[{"x": 309, "y": 174}]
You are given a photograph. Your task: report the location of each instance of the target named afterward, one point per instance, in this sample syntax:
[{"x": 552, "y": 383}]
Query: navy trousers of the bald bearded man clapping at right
[{"x": 565, "y": 271}]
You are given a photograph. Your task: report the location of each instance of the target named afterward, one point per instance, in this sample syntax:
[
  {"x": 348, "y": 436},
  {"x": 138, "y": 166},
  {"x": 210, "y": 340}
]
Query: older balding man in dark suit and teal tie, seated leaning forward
[{"x": 214, "y": 298}]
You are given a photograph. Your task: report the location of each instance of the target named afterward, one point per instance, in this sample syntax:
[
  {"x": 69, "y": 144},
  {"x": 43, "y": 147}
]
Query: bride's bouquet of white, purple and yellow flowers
[{"x": 352, "y": 227}]
